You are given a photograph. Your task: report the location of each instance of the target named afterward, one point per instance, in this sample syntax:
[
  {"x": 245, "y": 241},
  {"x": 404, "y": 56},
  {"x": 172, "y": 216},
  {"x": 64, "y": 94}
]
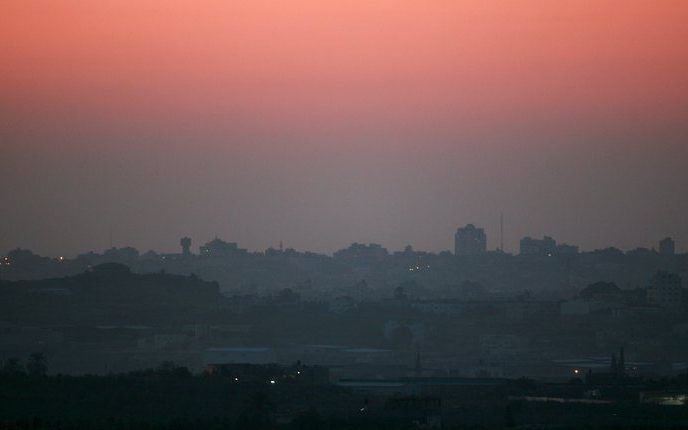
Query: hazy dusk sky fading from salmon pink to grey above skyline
[{"x": 323, "y": 122}]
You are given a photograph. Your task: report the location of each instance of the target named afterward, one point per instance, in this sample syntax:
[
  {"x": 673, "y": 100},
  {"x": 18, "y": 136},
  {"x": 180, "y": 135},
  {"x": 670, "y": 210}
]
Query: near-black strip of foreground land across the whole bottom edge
[{"x": 170, "y": 397}]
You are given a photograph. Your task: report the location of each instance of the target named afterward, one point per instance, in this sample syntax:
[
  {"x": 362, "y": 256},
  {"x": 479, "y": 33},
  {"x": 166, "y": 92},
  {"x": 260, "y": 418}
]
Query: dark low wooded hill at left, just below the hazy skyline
[{"x": 109, "y": 292}]
